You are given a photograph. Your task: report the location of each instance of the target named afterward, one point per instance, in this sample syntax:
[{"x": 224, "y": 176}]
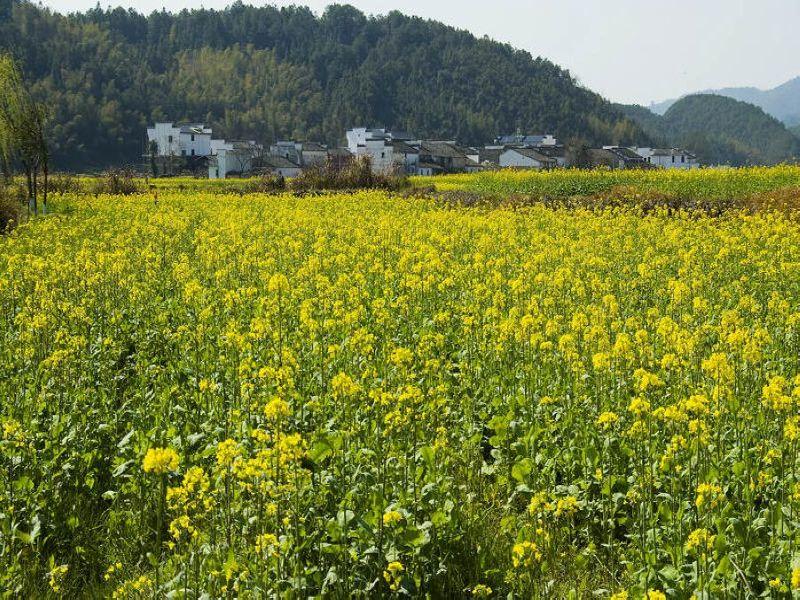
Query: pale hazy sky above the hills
[{"x": 628, "y": 50}]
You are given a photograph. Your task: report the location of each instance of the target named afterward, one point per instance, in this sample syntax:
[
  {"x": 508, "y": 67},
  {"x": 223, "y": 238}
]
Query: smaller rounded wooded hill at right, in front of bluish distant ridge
[{"x": 720, "y": 130}]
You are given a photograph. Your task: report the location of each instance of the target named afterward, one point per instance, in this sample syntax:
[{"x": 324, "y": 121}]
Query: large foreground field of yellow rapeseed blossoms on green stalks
[{"x": 367, "y": 396}]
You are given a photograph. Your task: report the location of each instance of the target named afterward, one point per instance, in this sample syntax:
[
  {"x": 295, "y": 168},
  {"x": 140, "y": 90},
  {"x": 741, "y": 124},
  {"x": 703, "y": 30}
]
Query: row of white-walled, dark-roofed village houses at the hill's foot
[{"x": 174, "y": 148}]
